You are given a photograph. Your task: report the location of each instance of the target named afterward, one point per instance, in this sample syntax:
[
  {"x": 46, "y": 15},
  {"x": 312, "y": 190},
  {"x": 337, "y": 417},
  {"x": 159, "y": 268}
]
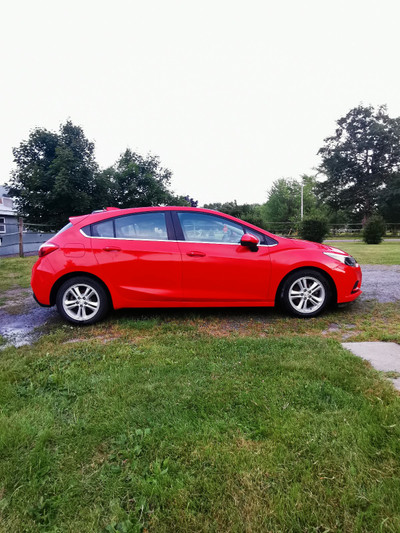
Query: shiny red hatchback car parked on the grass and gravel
[{"x": 185, "y": 257}]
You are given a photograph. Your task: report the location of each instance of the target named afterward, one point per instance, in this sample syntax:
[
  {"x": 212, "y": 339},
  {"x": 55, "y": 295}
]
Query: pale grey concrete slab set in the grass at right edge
[{"x": 383, "y": 356}]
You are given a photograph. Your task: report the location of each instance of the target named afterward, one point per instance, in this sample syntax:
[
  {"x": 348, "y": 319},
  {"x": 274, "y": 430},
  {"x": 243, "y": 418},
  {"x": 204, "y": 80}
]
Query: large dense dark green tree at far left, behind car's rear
[{"x": 55, "y": 176}]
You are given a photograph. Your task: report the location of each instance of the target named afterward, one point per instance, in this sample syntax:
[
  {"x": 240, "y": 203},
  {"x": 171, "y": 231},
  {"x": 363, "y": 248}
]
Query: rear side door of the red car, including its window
[{"x": 138, "y": 257}]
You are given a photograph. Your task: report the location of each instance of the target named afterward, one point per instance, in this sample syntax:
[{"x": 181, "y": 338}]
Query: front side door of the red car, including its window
[{"x": 216, "y": 268}]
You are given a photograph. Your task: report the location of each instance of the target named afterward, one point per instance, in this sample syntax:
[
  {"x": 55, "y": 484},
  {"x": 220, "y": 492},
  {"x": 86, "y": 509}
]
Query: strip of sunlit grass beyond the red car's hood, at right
[{"x": 386, "y": 253}]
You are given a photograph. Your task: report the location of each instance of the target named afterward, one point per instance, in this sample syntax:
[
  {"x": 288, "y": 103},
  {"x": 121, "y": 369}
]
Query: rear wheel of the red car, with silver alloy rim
[{"x": 82, "y": 300}]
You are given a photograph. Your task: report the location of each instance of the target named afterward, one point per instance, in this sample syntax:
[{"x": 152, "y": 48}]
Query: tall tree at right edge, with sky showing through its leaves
[{"x": 359, "y": 160}]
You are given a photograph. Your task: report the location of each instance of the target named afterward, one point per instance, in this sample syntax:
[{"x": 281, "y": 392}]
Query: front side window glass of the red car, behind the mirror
[{"x": 201, "y": 227}]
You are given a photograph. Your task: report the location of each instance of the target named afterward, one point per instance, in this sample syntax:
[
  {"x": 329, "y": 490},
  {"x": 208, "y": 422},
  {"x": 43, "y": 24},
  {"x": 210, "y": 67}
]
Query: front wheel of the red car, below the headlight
[{"x": 306, "y": 293}]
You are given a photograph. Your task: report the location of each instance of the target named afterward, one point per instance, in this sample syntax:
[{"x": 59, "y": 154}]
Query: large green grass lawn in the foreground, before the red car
[{"x": 225, "y": 420}]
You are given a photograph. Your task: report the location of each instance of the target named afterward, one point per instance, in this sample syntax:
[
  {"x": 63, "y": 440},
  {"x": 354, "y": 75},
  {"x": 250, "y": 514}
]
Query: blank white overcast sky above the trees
[{"x": 231, "y": 95}]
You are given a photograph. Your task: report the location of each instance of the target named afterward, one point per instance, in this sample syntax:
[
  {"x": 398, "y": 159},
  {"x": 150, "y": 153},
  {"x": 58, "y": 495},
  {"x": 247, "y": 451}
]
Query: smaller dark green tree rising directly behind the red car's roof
[{"x": 137, "y": 181}]
